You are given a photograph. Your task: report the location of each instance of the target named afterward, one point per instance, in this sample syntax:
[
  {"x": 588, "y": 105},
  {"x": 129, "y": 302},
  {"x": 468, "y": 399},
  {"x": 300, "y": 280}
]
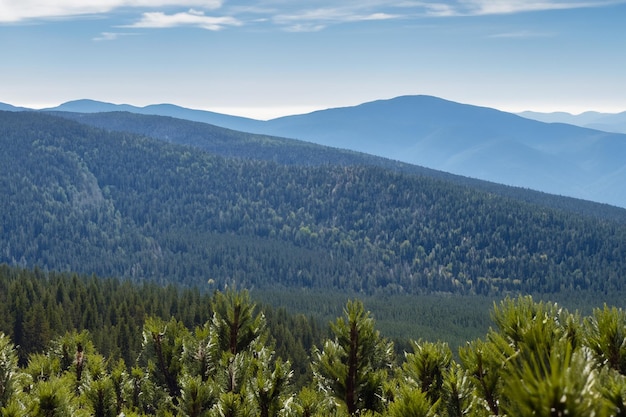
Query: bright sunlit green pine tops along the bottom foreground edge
[{"x": 539, "y": 360}]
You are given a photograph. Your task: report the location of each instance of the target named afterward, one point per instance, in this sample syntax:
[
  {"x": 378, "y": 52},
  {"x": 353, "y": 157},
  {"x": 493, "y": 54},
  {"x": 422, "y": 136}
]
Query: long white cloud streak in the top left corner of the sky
[{"x": 19, "y": 10}]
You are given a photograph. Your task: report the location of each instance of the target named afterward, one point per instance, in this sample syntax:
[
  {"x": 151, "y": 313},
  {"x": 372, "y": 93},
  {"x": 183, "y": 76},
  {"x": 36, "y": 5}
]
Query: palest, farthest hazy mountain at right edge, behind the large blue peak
[{"x": 609, "y": 122}]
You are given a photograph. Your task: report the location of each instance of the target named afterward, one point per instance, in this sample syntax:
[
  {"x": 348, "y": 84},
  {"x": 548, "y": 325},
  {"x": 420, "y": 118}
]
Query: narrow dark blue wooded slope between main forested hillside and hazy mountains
[{"x": 230, "y": 143}]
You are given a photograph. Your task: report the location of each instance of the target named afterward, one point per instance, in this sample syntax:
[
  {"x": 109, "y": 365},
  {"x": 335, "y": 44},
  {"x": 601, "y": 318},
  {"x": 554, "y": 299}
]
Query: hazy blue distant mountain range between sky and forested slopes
[{"x": 462, "y": 139}]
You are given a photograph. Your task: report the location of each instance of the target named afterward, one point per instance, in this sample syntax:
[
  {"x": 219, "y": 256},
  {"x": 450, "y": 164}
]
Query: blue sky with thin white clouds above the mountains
[{"x": 268, "y": 58}]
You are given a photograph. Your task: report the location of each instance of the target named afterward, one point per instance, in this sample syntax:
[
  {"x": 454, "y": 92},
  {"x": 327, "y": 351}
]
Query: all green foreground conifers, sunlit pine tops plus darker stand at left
[{"x": 172, "y": 352}]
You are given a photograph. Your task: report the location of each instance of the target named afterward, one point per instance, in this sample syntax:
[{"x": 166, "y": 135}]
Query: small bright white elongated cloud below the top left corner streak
[{"x": 191, "y": 18}]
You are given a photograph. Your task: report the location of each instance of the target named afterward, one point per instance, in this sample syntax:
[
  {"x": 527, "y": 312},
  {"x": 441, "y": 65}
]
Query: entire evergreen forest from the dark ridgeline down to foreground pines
[{"x": 156, "y": 267}]
